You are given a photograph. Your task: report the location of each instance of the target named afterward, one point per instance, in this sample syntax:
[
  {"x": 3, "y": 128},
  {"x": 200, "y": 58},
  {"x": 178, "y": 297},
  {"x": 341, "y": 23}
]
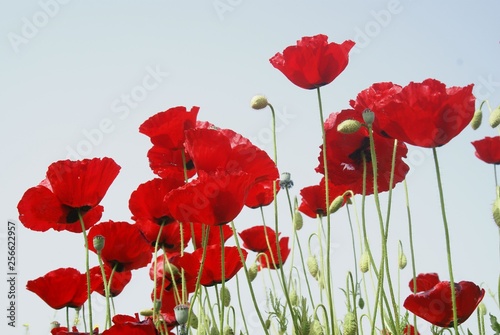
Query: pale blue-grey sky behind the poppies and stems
[{"x": 72, "y": 67}]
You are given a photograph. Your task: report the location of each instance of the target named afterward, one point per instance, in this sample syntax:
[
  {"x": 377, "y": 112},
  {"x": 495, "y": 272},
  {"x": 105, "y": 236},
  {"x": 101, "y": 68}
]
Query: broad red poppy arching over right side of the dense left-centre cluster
[{"x": 214, "y": 149}]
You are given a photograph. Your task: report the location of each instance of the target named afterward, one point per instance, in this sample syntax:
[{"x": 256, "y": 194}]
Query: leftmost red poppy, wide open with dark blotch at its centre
[{"x": 71, "y": 188}]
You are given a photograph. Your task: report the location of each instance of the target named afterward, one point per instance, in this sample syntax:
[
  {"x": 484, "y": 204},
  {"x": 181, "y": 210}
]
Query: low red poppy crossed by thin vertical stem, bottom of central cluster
[{"x": 212, "y": 269}]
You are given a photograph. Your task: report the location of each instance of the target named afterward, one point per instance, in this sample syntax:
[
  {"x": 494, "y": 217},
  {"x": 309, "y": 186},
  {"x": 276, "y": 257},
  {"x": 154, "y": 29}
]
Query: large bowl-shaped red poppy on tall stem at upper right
[{"x": 428, "y": 114}]
